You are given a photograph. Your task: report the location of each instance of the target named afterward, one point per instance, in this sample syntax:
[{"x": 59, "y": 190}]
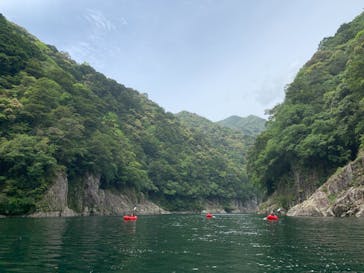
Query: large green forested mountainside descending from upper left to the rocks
[{"x": 60, "y": 116}]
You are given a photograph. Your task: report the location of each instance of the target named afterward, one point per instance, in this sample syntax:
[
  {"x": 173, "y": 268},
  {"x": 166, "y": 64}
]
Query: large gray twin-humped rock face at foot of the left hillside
[{"x": 92, "y": 200}]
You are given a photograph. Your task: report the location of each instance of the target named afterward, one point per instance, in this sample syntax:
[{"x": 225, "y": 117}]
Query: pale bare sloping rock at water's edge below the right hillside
[{"x": 342, "y": 194}]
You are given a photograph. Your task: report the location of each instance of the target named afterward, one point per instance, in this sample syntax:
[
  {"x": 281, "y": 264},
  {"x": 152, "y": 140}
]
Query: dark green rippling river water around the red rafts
[{"x": 181, "y": 243}]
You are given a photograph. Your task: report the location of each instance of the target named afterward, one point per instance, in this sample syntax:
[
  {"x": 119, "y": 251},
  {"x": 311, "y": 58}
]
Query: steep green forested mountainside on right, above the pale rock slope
[{"x": 320, "y": 125}]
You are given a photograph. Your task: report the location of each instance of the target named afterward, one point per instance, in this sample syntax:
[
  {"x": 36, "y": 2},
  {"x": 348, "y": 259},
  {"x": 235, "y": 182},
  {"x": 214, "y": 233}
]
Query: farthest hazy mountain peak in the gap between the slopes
[{"x": 250, "y": 125}]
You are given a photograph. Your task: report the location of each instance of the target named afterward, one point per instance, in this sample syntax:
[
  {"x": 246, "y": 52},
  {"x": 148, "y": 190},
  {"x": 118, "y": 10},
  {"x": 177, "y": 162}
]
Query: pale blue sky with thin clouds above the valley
[{"x": 216, "y": 58}]
